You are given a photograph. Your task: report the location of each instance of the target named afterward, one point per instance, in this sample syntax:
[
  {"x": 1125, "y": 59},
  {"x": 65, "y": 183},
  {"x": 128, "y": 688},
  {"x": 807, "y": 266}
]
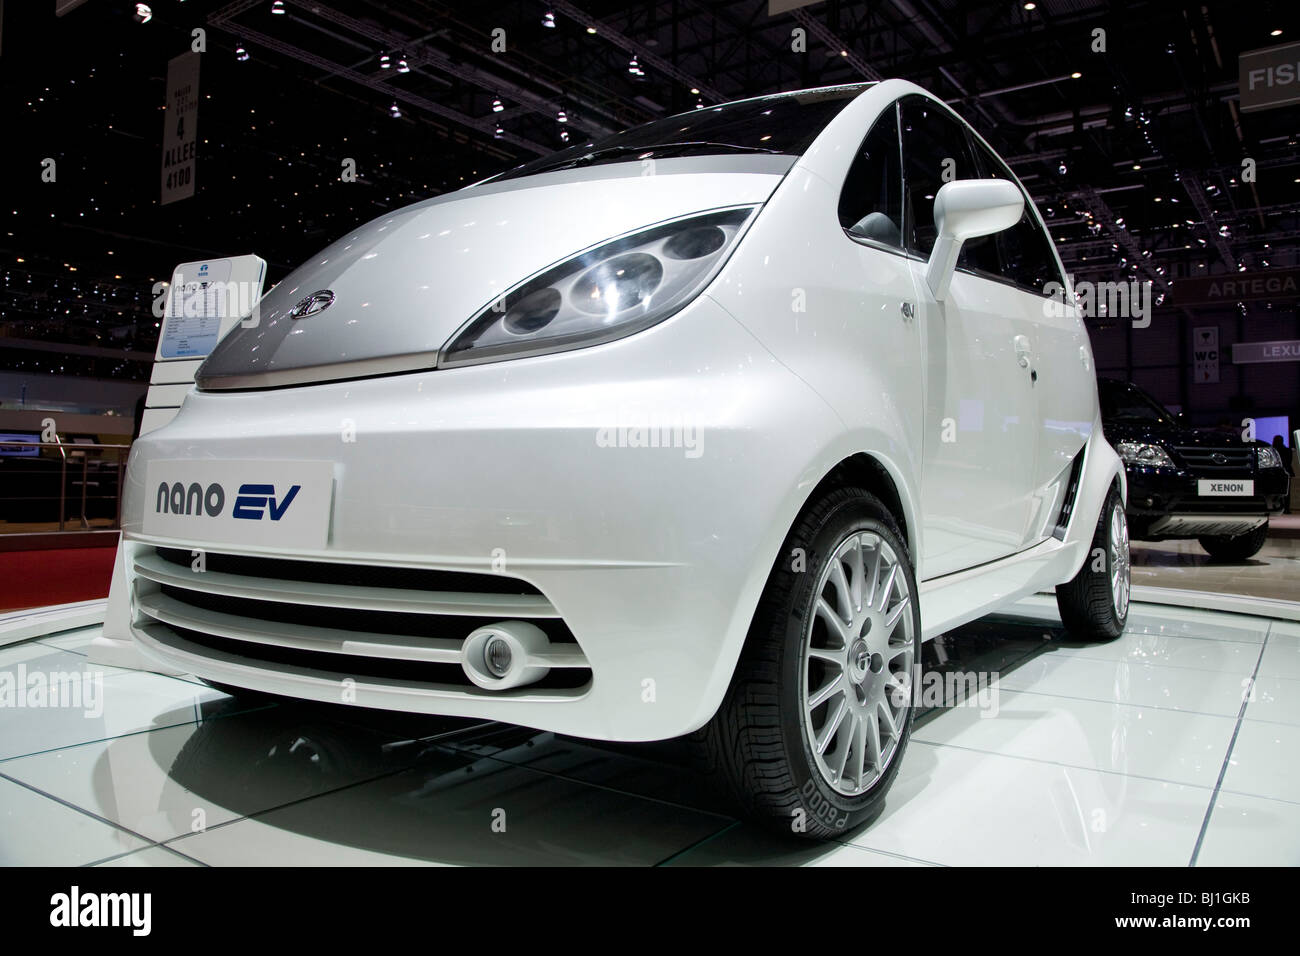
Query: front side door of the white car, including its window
[{"x": 980, "y": 405}]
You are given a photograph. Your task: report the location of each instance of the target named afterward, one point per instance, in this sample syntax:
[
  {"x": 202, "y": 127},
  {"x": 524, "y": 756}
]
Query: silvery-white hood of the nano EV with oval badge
[{"x": 404, "y": 284}]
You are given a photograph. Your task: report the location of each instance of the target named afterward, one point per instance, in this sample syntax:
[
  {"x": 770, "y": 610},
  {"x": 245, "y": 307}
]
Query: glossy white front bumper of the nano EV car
[{"x": 547, "y": 471}]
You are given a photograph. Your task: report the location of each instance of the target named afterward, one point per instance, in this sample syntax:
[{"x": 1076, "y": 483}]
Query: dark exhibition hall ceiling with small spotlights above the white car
[{"x": 1137, "y": 163}]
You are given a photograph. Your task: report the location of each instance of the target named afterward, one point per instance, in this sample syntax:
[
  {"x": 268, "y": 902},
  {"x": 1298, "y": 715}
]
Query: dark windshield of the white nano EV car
[{"x": 785, "y": 124}]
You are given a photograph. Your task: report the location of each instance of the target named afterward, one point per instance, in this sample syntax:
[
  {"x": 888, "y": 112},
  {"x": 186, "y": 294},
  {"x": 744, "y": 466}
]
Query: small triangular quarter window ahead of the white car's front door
[{"x": 872, "y": 200}]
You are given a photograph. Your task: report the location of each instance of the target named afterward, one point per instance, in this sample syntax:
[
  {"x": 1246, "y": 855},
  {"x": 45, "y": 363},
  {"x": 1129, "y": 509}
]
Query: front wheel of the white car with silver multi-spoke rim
[{"x": 764, "y": 739}]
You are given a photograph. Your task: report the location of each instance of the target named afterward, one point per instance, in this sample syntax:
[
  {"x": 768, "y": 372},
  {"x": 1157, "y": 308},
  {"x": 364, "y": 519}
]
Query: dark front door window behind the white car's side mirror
[{"x": 937, "y": 152}]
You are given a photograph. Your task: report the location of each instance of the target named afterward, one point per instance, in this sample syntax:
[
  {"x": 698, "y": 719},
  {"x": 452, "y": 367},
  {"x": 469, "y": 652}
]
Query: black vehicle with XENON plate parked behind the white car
[{"x": 1190, "y": 483}]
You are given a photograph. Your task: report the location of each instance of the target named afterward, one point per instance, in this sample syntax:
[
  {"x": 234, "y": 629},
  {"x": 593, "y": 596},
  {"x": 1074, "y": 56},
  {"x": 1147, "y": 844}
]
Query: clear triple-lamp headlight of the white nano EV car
[{"x": 606, "y": 293}]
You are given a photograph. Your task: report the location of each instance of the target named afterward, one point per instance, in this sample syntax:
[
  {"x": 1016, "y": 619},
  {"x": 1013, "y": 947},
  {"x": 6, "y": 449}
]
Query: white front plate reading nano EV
[{"x": 271, "y": 504}]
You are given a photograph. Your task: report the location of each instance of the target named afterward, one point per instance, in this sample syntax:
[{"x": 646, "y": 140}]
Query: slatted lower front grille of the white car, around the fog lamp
[{"x": 362, "y": 622}]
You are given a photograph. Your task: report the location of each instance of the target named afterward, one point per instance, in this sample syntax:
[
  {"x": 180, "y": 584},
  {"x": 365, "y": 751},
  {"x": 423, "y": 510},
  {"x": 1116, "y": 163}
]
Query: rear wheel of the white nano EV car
[{"x": 1095, "y": 604}]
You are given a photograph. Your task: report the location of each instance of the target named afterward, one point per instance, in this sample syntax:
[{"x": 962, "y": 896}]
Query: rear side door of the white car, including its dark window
[{"x": 1060, "y": 356}]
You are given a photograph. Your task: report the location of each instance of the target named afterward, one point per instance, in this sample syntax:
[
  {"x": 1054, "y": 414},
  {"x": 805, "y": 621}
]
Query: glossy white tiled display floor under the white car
[{"x": 1173, "y": 746}]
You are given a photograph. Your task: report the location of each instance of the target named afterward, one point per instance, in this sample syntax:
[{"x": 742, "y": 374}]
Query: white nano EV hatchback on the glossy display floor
[{"x": 695, "y": 431}]
